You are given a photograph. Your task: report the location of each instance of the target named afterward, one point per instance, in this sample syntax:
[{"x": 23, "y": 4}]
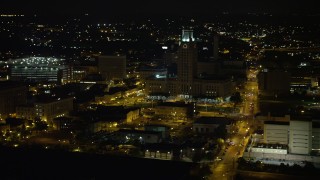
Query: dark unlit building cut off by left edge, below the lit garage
[{"x": 12, "y": 94}]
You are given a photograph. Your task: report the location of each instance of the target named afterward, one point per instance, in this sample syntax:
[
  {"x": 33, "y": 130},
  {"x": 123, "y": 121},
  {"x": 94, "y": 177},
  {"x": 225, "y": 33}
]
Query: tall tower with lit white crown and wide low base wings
[{"x": 188, "y": 83}]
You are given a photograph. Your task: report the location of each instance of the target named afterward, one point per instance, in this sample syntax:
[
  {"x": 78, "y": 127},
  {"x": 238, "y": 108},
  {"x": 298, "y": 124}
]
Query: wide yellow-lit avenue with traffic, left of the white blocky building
[{"x": 226, "y": 168}]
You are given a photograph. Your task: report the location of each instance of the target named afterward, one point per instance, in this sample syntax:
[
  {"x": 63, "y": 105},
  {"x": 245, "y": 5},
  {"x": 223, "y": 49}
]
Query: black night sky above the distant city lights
[{"x": 157, "y": 6}]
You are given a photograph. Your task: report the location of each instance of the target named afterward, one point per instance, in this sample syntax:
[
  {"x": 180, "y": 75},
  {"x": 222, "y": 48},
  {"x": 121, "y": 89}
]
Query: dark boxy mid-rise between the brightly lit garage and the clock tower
[{"x": 112, "y": 67}]
